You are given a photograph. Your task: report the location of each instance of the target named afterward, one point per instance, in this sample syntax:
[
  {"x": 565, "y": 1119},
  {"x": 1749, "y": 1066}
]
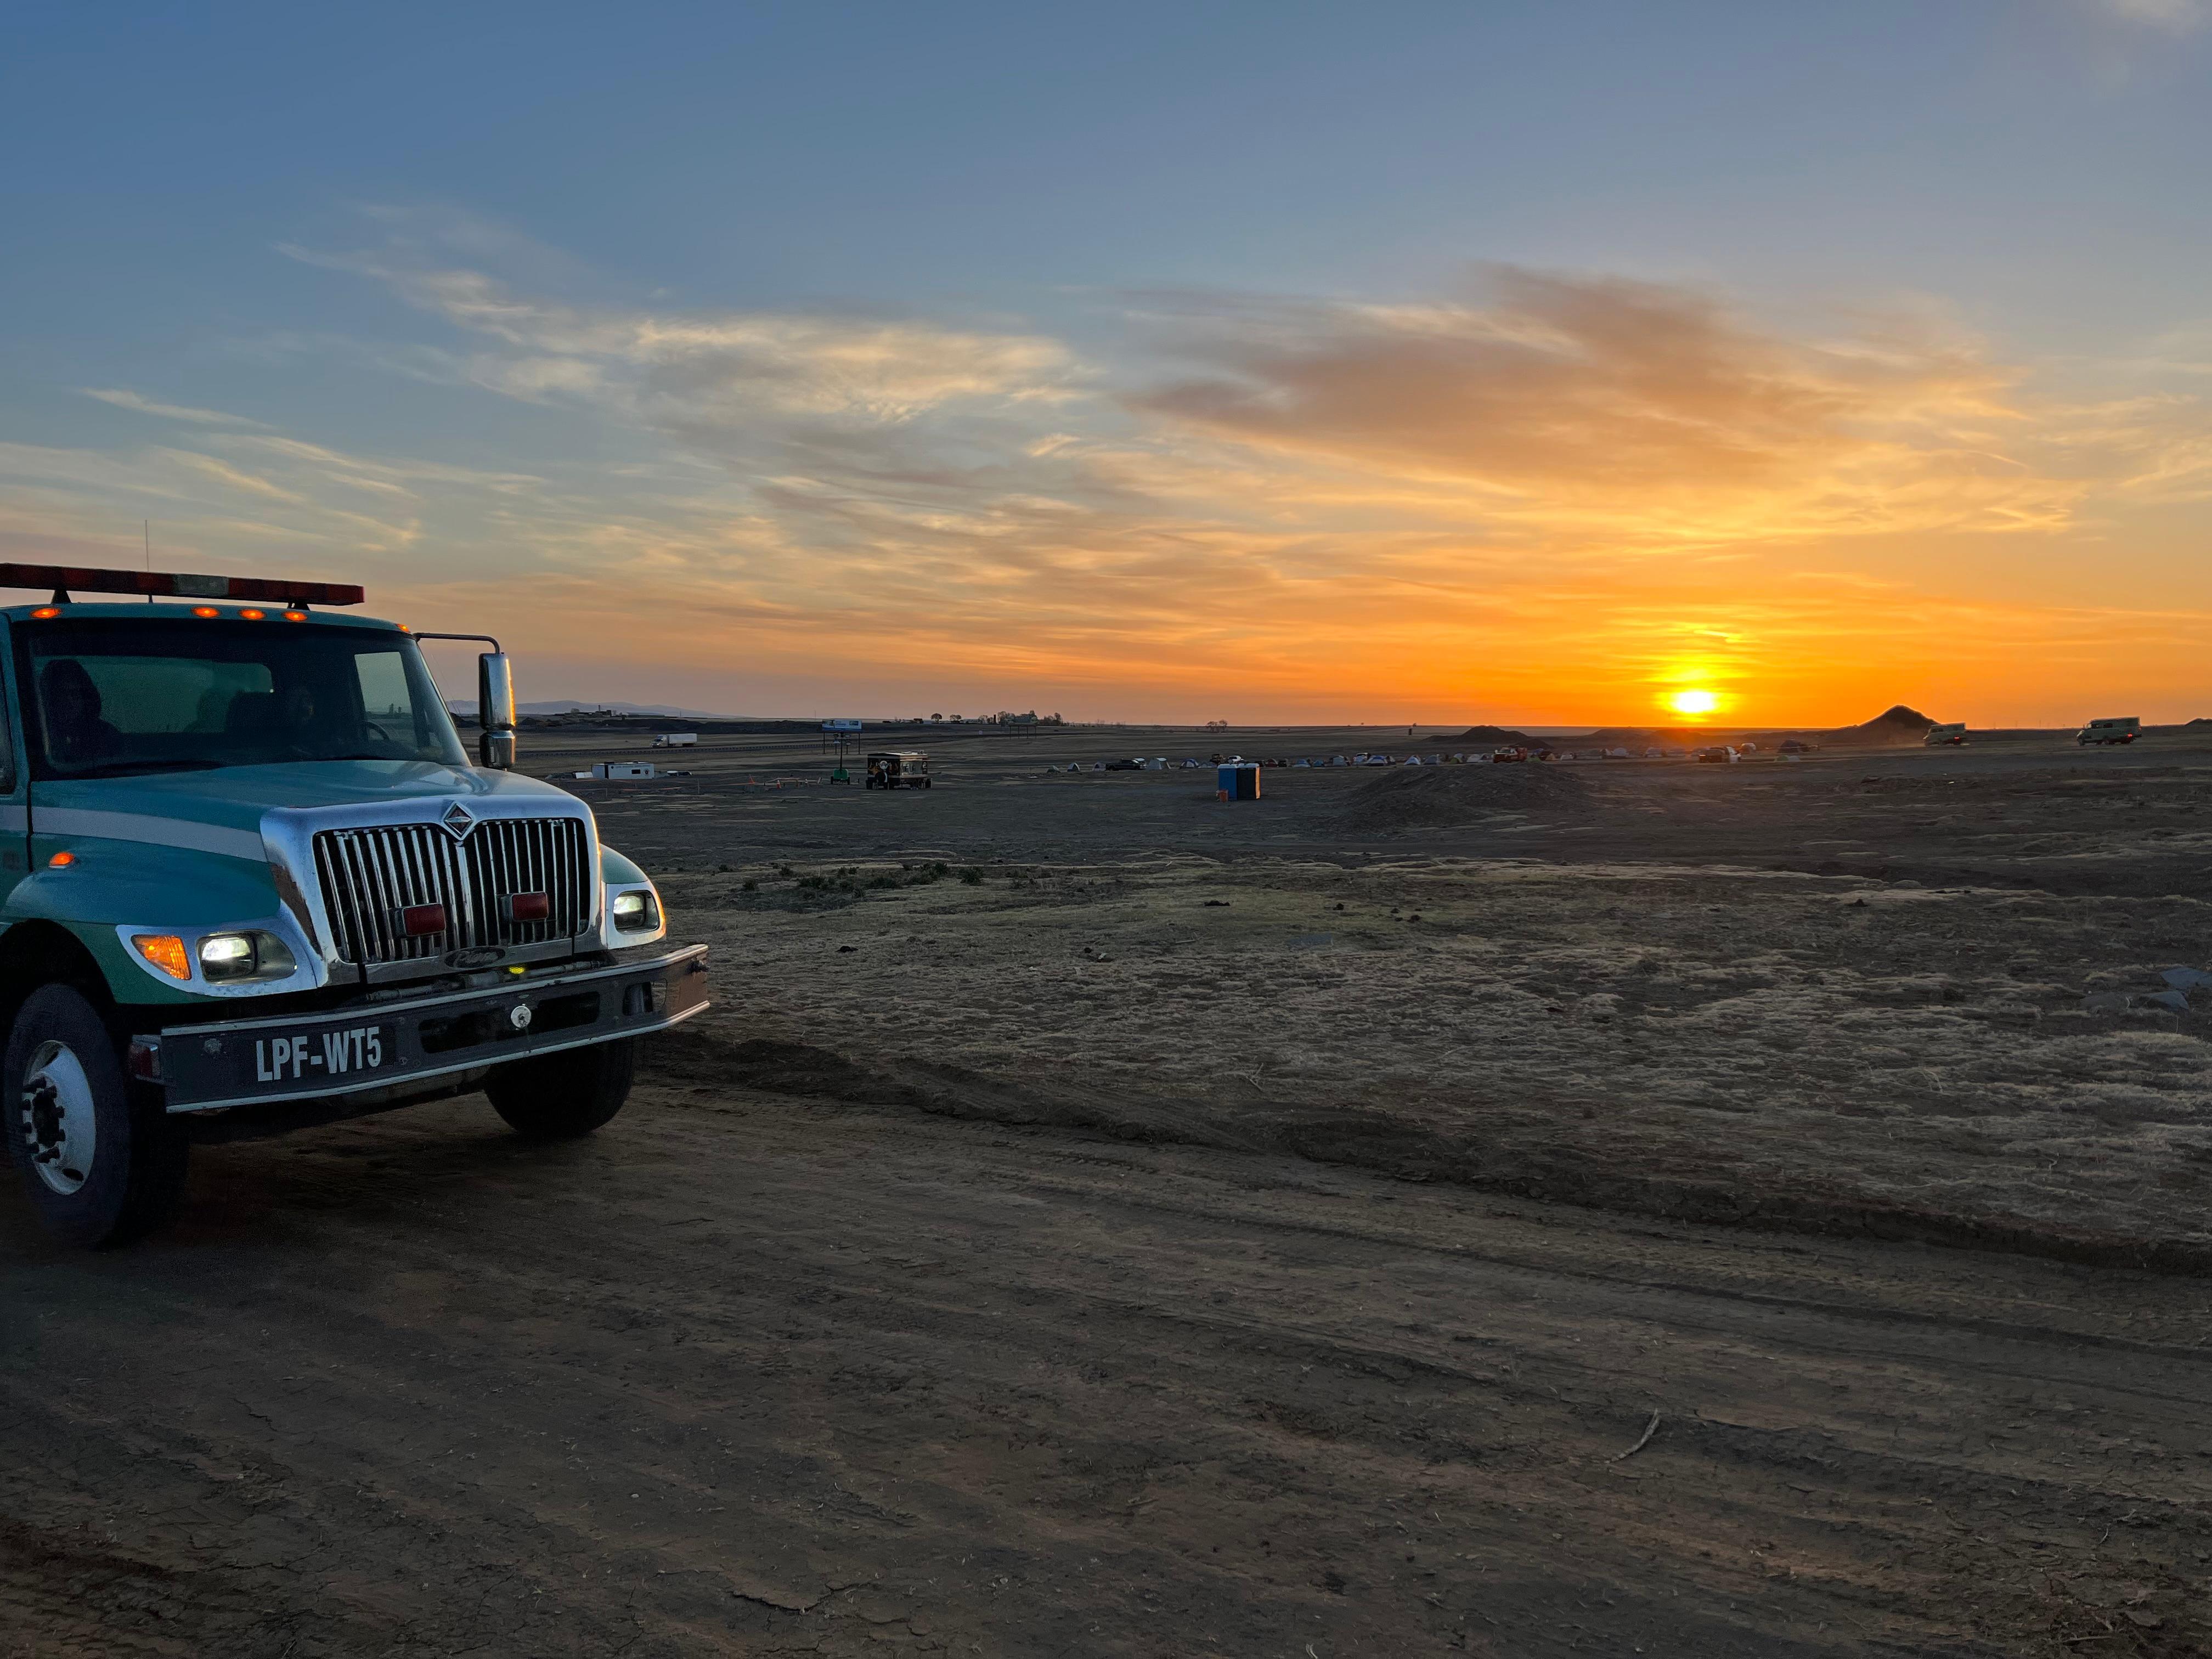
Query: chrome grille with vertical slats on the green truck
[{"x": 371, "y": 877}]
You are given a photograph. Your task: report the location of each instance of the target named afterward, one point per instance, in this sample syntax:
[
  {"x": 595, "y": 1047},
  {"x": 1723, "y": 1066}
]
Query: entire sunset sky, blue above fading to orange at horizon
[{"x": 1149, "y": 362}]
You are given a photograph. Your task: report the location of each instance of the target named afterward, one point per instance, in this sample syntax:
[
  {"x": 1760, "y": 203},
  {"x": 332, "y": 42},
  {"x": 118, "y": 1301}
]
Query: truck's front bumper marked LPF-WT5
[{"x": 379, "y": 1047}]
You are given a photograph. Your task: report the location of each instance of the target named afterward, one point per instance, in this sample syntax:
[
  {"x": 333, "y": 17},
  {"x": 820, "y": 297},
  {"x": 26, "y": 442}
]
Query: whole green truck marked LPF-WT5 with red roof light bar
[{"x": 251, "y": 879}]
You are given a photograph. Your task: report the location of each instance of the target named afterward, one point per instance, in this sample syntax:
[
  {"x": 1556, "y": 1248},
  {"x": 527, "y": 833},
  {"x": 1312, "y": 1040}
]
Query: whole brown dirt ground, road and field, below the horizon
[{"x": 1583, "y": 1211}]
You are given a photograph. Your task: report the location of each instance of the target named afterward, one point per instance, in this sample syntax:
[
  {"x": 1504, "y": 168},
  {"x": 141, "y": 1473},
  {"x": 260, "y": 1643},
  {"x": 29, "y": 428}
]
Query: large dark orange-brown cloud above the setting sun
[{"x": 1620, "y": 408}]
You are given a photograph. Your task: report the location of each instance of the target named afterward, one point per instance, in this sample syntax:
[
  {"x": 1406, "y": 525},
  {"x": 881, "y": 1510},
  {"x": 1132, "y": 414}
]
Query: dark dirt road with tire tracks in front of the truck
[{"x": 762, "y": 1375}]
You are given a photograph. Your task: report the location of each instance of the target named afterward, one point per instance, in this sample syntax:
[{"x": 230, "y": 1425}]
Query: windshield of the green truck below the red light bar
[{"x": 114, "y": 698}]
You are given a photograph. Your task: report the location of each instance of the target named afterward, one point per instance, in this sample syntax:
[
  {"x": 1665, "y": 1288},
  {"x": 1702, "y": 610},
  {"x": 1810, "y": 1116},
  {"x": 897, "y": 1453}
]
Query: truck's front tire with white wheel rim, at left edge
[{"x": 98, "y": 1156}]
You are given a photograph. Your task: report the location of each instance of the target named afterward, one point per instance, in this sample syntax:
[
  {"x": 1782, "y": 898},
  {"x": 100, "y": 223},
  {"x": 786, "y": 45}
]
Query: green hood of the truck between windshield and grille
[{"x": 236, "y": 797}]
